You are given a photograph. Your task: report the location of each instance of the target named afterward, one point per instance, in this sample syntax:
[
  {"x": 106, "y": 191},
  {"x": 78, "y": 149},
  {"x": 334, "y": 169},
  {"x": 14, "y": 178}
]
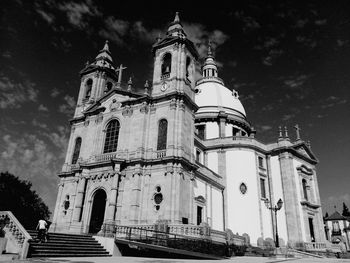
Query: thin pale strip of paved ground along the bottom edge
[{"x": 157, "y": 260}]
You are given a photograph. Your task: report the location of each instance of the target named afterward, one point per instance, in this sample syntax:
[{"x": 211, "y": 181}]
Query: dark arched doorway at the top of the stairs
[{"x": 98, "y": 211}]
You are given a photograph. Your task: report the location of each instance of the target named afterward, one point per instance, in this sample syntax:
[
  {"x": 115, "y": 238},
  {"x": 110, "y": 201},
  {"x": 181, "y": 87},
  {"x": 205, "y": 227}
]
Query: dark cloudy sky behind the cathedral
[{"x": 288, "y": 60}]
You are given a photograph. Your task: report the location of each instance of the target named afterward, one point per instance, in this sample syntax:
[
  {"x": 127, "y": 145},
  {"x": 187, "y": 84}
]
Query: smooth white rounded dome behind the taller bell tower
[{"x": 213, "y": 96}]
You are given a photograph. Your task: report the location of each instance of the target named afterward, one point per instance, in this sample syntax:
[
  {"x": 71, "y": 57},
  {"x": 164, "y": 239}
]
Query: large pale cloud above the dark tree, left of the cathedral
[{"x": 32, "y": 158}]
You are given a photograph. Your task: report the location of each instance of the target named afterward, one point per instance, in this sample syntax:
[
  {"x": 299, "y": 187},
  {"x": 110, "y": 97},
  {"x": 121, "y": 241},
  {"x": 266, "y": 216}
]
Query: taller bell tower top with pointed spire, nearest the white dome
[{"x": 174, "y": 62}]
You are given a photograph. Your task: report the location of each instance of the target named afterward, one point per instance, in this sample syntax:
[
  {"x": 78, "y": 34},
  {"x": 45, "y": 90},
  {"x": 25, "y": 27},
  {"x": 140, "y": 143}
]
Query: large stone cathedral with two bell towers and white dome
[{"x": 181, "y": 150}]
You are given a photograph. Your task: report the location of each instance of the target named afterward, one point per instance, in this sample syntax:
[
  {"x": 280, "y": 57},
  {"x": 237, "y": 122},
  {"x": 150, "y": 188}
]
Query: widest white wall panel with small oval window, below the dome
[{"x": 242, "y": 210}]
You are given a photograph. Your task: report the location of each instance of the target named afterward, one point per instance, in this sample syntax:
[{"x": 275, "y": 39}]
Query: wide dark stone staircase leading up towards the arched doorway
[{"x": 65, "y": 245}]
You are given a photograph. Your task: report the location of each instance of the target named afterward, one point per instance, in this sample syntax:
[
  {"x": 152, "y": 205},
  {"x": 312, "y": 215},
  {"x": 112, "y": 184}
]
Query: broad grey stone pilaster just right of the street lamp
[{"x": 291, "y": 204}]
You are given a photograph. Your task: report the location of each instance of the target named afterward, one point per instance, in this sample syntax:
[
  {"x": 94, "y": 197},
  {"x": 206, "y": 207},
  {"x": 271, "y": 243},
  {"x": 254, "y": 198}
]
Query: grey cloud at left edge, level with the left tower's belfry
[{"x": 14, "y": 94}]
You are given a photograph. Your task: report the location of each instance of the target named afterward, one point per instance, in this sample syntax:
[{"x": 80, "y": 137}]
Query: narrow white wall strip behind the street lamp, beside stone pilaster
[{"x": 275, "y": 174}]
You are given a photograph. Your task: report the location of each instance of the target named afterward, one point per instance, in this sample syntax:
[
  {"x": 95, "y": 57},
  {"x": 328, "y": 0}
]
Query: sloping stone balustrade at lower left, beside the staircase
[{"x": 17, "y": 234}]
